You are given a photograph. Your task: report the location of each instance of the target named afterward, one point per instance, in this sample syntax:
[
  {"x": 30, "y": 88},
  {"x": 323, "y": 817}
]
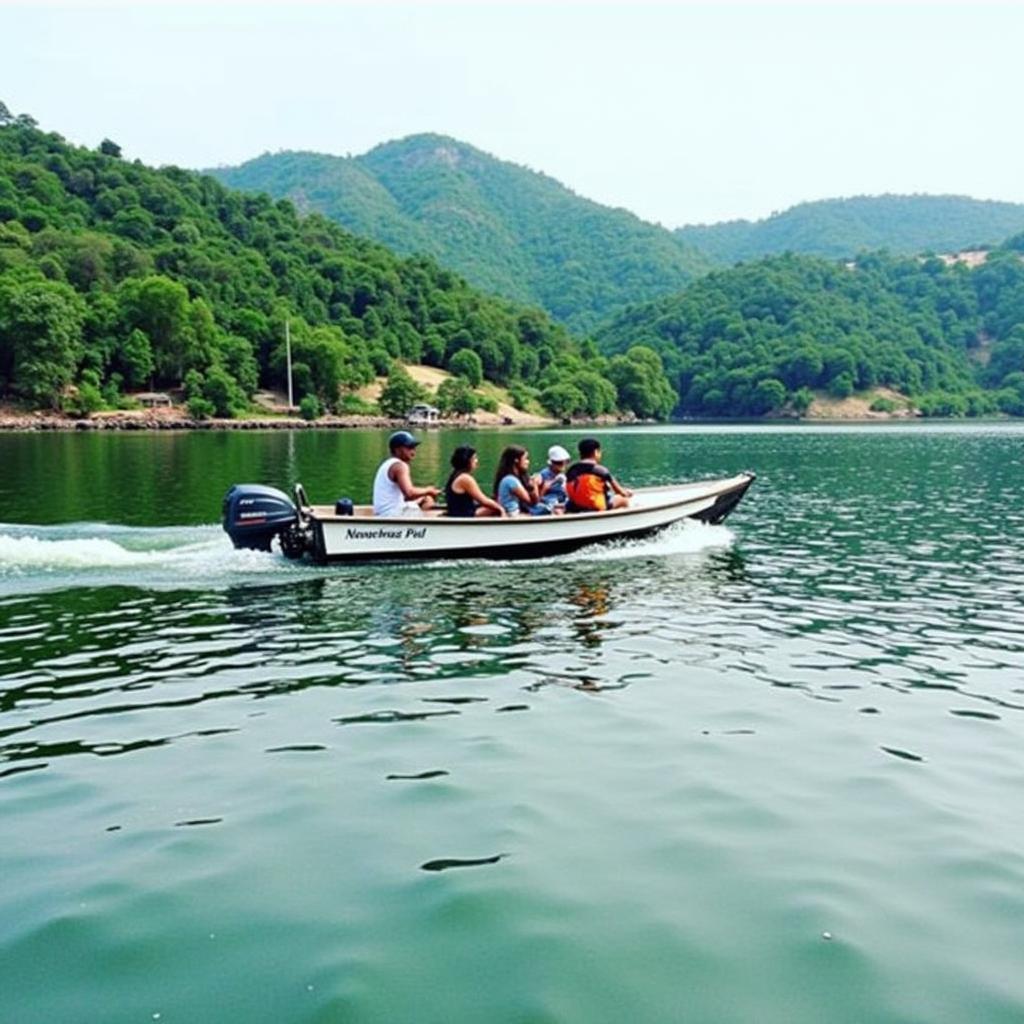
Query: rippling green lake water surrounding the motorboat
[{"x": 770, "y": 772}]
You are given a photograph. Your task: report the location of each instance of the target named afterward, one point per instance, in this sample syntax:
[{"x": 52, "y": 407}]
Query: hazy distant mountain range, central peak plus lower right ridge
[{"x": 524, "y": 235}]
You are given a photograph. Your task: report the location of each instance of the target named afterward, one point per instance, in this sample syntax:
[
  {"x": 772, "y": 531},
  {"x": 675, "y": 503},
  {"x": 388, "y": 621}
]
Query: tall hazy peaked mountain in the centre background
[{"x": 508, "y": 230}]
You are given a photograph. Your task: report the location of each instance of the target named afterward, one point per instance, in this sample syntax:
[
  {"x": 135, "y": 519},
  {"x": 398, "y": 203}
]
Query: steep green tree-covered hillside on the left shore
[{"x": 116, "y": 277}]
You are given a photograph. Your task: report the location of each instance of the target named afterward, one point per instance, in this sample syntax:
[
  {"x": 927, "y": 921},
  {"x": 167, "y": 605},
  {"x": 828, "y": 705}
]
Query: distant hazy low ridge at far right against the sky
[{"x": 843, "y": 228}]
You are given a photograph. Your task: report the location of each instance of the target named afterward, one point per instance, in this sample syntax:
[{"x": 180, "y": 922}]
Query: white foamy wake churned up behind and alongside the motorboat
[{"x": 39, "y": 559}]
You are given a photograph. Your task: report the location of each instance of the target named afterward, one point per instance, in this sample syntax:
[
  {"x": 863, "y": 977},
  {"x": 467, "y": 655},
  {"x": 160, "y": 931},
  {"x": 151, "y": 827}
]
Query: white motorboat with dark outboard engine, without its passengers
[{"x": 255, "y": 517}]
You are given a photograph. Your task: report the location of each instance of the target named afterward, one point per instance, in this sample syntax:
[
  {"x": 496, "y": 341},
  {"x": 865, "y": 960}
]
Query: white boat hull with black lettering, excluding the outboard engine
[{"x": 366, "y": 538}]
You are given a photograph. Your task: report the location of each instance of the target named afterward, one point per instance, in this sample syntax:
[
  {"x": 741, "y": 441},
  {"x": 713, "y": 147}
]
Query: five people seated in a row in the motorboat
[{"x": 557, "y": 490}]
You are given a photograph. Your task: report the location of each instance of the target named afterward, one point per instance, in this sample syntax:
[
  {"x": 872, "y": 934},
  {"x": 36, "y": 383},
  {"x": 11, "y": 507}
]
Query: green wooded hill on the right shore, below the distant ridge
[{"x": 762, "y": 337}]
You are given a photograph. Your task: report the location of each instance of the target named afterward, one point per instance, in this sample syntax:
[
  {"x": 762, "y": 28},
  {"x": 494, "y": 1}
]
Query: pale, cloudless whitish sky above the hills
[{"x": 684, "y": 113}]
